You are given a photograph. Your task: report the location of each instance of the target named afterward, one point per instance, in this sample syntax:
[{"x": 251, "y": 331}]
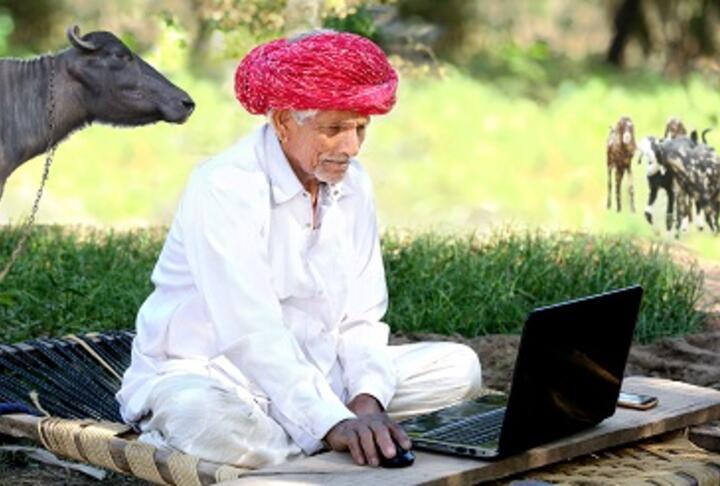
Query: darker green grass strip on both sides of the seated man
[{"x": 79, "y": 280}]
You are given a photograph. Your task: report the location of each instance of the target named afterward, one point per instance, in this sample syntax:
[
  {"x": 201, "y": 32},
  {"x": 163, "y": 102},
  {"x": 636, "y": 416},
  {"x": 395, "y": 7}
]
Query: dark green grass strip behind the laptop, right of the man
[{"x": 471, "y": 286}]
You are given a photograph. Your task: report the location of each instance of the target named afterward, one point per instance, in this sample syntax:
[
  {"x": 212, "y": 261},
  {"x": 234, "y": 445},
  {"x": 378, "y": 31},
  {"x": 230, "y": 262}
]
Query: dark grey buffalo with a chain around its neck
[{"x": 96, "y": 79}]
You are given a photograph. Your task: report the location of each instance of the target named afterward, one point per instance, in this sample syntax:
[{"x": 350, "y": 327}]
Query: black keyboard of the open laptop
[{"x": 477, "y": 429}]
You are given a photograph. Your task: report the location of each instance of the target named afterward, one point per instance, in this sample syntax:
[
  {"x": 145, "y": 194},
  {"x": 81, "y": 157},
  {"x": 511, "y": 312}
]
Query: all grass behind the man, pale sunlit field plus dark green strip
[{"x": 515, "y": 138}]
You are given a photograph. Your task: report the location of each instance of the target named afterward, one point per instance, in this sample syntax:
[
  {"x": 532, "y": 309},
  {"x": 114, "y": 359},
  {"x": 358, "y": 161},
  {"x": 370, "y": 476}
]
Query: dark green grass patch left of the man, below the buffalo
[{"x": 75, "y": 280}]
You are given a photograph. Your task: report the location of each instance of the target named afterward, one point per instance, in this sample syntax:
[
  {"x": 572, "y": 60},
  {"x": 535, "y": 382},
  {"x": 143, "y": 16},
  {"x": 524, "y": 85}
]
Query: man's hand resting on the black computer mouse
[{"x": 366, "y": 437}]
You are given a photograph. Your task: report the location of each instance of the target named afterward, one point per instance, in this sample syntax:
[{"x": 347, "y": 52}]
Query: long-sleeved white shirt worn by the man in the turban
[{"x": 246, "y": 285}]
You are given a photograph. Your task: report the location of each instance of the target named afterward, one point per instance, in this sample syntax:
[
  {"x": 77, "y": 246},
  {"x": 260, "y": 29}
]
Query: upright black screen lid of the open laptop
[{"x": 569, "y": 367}]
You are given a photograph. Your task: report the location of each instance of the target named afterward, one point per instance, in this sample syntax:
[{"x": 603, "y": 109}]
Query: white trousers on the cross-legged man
[{"x": 200, "y": 416}]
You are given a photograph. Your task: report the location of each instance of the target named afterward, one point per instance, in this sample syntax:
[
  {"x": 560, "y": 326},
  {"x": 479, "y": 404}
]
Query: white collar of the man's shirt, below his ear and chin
[{"x": 283, "y": 181}]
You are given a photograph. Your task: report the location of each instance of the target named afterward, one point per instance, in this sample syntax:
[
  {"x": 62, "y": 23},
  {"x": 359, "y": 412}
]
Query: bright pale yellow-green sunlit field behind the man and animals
[{"x": 469, "y": 149}]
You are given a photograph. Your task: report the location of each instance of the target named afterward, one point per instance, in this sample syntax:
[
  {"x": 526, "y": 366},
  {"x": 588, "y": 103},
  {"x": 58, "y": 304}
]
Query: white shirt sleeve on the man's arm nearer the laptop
[{"x": 363, "y": 350}]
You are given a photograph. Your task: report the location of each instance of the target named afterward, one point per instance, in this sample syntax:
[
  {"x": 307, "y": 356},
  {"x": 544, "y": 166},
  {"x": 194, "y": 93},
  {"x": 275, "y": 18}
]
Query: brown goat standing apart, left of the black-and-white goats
[{"x": 620, "y": 150}]
